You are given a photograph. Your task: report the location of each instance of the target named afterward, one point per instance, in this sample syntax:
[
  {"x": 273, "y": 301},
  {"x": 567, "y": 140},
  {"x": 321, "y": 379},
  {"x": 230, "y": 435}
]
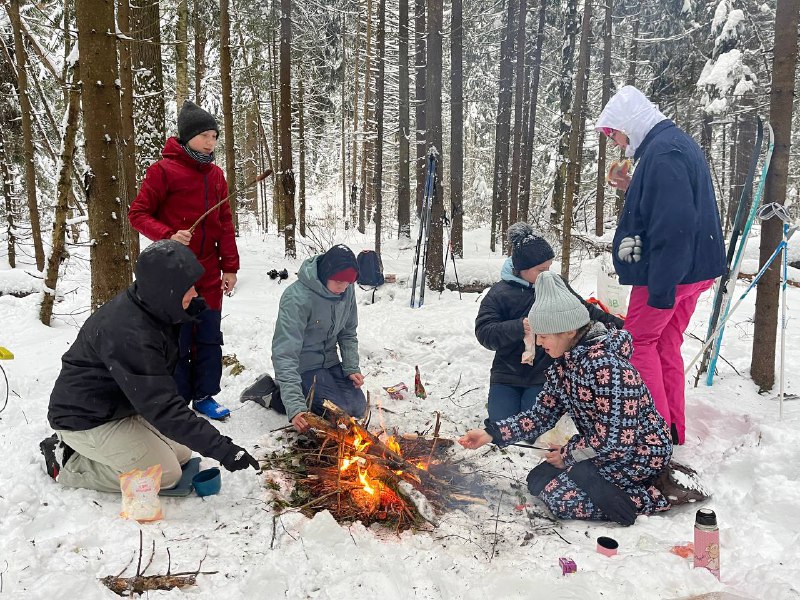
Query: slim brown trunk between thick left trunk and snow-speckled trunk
[{"x": 127, "y": 135}]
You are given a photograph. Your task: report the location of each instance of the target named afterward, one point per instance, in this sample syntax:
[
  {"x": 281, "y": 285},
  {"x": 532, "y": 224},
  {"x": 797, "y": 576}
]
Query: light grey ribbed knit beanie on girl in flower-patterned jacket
[{"x": 556, "y": 309}]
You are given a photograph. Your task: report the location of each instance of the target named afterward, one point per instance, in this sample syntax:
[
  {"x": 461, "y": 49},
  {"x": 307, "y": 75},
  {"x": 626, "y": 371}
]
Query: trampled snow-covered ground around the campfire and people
[{"x": 56, "y": 542}]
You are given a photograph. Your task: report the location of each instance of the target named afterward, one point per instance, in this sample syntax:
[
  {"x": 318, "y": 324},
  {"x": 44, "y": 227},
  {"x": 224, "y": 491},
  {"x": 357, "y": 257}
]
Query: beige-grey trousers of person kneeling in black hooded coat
[{"x": 103, "y": 453}]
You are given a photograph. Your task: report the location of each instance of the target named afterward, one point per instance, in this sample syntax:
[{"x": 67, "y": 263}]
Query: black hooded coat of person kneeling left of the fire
[{"x": 122, "y": 361}]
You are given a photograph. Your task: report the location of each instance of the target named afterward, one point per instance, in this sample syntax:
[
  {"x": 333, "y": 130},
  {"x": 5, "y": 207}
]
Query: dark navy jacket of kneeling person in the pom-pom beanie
[{"x": 498, "y": 327}]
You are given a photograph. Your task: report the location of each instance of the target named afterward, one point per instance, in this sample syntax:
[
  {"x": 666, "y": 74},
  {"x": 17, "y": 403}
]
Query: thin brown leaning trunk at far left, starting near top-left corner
[{"x": 27, "y": 131}]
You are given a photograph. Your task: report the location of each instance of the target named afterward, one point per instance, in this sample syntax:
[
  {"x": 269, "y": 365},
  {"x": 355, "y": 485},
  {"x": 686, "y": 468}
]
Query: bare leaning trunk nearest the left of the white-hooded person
[{"x": 574, "y": 163}]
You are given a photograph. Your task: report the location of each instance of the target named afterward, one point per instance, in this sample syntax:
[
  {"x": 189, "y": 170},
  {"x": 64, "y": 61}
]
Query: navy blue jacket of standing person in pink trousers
[{"x": 670, "y": 203}]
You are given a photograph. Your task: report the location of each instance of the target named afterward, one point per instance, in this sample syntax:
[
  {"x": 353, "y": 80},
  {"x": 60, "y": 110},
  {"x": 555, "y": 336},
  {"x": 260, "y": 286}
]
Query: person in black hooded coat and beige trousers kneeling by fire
[{"x": 115, "y": 405}]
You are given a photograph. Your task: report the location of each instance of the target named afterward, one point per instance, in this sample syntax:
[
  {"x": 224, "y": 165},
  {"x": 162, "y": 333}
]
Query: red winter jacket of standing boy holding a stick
[{"x": 176, "y": 190}]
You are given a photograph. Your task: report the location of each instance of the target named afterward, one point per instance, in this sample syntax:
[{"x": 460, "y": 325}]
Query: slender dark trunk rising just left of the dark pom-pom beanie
[{"x": 502, "y": 131}]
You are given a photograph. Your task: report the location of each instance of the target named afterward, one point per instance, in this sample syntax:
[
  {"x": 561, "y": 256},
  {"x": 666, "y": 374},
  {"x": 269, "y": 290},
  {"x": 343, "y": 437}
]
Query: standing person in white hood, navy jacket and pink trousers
[{"x": 668, "y": 244}]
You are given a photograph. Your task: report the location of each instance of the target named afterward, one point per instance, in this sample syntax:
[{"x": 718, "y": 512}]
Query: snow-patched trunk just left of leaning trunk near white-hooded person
[{"x": 565, "y": 95}]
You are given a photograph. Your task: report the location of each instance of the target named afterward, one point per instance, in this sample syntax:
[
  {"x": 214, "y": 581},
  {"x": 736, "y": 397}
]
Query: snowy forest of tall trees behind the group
[{"x": 345, "y": 99}]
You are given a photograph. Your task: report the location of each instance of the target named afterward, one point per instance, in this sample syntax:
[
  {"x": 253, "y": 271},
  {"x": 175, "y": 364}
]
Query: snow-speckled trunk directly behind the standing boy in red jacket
[{"x": 148, "y": 82}]
